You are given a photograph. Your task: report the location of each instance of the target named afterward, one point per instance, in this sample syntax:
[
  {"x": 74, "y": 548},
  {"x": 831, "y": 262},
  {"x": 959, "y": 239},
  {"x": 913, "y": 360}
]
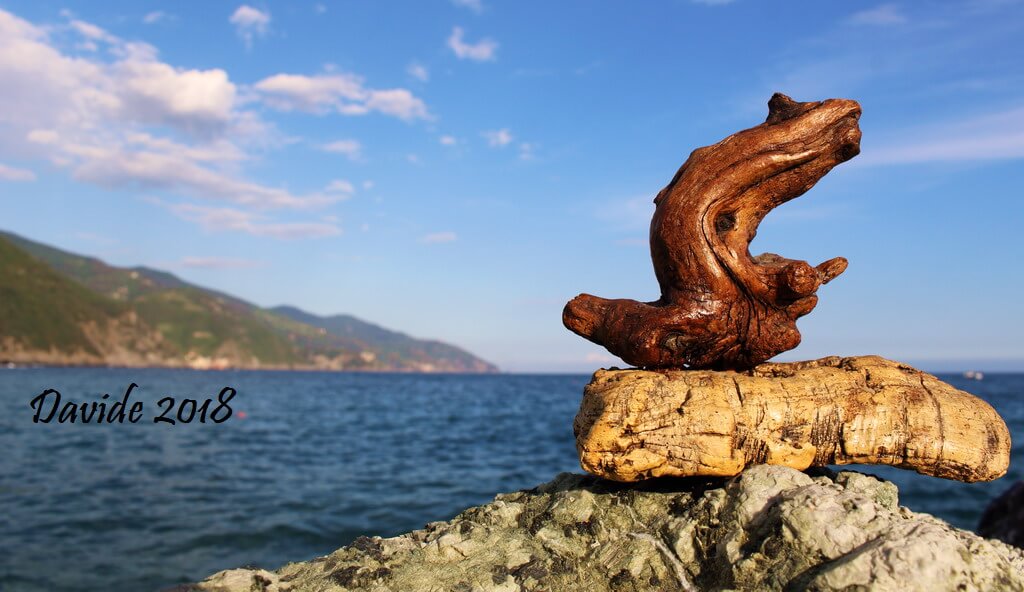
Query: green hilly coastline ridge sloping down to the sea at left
[{"x": 62, "y": 309}]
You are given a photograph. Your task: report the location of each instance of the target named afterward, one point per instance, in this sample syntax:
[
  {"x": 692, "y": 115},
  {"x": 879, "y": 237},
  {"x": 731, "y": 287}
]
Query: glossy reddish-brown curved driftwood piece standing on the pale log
[{"x": 720, "y": 308}]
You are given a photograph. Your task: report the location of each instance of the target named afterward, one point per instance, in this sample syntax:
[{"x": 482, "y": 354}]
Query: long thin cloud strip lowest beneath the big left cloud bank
[{"x": 221, "y": 220}]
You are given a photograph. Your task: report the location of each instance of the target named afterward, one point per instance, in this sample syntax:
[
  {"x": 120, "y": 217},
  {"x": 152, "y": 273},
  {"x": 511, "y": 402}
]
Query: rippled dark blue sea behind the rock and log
[{"x": 286, "y": 467}]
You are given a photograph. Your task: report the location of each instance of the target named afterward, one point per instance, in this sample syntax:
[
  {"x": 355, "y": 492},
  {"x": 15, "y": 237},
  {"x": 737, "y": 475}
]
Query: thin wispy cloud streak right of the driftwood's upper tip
[{"x": 995, "y": 137}]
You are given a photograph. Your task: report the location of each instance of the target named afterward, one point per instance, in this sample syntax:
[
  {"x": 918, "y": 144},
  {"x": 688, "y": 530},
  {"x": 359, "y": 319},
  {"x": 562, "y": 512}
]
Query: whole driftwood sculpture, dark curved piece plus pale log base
[{"x": 704, "y": 406}]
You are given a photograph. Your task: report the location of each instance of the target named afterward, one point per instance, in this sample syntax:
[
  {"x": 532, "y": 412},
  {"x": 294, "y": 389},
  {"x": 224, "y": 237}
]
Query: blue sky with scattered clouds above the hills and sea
[{"x": 459, "y": 170}]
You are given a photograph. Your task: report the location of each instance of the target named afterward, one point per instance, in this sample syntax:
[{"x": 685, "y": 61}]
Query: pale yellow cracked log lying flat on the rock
[{"x": 636, "y": 425}]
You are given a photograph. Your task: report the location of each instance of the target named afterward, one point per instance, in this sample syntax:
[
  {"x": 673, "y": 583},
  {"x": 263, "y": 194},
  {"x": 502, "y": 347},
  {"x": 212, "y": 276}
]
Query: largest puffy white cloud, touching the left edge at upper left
[{"x": 45, "y": 88}]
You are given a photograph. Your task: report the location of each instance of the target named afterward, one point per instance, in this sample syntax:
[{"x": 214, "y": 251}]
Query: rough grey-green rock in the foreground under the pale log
[{"x": 770, "y": 529}]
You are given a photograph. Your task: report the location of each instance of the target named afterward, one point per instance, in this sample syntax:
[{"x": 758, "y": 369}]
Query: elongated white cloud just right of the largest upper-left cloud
[{"x": 344, "y": 94}]
